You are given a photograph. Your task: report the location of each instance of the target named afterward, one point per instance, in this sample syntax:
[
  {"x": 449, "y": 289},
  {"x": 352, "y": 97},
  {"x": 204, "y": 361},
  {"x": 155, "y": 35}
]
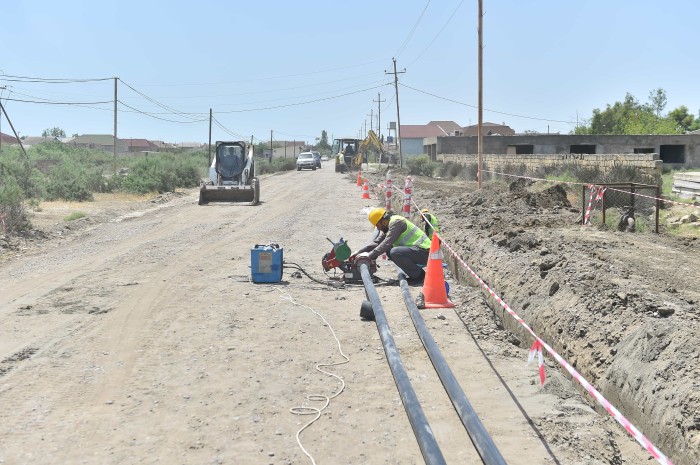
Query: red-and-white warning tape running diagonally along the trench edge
[{"x": 537, "y": 347}]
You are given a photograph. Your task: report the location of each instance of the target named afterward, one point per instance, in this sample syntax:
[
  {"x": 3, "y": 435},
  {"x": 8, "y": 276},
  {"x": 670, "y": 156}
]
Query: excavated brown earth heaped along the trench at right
[{"x": 622, "y": 308}]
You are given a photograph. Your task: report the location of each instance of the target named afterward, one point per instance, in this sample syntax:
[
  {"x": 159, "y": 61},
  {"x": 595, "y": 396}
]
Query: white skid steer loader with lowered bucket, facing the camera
[{"x": 231, "y": 176}]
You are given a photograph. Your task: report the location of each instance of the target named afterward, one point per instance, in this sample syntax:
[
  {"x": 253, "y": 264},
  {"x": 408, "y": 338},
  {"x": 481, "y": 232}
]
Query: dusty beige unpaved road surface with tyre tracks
[{"x": 139, "y": 338}]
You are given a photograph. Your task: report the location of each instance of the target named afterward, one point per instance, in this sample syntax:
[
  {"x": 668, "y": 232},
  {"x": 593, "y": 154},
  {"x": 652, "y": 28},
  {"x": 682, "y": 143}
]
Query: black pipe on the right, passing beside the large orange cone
[{"x": 489, "y": 453}]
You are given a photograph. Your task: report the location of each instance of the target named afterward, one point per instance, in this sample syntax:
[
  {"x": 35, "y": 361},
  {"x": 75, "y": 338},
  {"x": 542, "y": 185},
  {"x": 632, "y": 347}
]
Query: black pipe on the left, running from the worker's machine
[{"x": 424, "y": 434}]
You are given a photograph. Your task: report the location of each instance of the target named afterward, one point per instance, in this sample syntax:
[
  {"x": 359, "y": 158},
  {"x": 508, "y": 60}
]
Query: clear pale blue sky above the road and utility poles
[{"x": 298, "y": 68}]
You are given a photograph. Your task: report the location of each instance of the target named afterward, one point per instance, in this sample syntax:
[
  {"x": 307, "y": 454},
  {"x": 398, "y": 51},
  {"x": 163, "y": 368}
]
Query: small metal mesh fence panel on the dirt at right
[{"x": 628, "y": 207}]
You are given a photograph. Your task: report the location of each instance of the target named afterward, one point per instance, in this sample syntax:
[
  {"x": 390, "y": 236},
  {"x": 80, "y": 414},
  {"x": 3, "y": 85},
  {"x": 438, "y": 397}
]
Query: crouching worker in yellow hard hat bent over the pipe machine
[{"x": 403, "y": 242}]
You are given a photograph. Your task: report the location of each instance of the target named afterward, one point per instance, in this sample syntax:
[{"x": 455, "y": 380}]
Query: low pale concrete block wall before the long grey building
[{"x": 647, "y": 163}]
